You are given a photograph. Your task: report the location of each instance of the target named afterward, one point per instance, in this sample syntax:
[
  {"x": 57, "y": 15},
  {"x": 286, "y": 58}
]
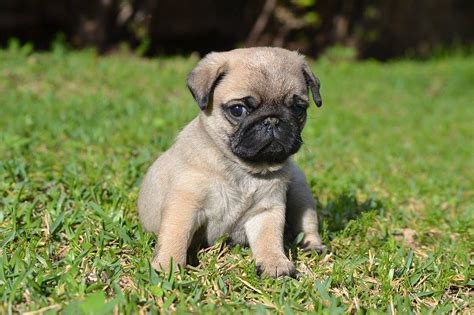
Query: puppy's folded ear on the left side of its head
[{"x": 204, "y": 78}]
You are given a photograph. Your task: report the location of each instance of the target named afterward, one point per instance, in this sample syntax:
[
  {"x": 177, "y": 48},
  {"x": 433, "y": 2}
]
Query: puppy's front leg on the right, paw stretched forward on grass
[{"x": 265, "y": 235}]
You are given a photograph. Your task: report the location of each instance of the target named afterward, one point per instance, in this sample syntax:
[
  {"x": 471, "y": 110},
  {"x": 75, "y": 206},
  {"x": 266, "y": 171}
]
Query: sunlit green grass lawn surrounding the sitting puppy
[{"x": 389, "y": 158}]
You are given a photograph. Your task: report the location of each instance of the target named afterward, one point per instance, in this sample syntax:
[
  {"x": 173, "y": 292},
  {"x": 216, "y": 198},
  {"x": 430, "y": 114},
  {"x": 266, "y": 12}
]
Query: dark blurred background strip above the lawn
[{"x": 375, "y": 29}]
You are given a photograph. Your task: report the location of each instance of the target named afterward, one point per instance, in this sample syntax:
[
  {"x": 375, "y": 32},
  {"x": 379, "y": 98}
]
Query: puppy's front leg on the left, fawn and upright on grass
[{"x": 177, "y": 228}]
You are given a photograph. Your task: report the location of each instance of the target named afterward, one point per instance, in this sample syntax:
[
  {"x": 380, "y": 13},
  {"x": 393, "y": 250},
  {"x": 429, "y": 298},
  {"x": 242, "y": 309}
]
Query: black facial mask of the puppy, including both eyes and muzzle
[{"x": 265, "y": 131}]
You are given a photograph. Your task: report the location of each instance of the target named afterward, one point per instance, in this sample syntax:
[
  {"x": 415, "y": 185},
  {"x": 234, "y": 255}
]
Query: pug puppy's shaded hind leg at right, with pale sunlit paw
[{"x": 301, "y": 215}]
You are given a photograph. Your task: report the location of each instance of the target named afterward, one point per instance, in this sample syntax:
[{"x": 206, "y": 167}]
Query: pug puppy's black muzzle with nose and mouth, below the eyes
[{"x": 266, "y": 143}]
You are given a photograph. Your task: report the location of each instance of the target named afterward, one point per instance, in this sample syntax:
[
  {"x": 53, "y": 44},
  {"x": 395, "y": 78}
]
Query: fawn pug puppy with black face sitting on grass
[{"x": 230, "y": 171}]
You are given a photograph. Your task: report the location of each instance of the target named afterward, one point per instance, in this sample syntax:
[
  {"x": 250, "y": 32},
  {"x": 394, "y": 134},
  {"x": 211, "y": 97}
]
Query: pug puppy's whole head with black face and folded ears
[{"x": 254, "y": 101}]
